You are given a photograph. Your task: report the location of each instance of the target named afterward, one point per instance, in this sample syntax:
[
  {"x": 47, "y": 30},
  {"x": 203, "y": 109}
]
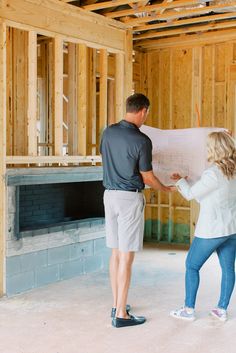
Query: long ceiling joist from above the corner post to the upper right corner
[{"x": 175, "y": 15}]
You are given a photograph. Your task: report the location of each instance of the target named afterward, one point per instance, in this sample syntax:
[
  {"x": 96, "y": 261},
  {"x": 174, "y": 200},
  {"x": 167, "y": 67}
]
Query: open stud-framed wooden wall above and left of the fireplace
[{"x": 62, "y": 82}]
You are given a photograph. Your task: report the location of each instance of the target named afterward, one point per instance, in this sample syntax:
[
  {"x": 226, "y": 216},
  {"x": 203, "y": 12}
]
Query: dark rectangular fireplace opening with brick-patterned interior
[{"x": 47, "y": 205}]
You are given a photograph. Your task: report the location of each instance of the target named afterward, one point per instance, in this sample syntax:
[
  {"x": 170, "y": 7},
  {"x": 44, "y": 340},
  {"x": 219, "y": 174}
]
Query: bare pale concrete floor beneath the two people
[{"x": 73, "y": 316}]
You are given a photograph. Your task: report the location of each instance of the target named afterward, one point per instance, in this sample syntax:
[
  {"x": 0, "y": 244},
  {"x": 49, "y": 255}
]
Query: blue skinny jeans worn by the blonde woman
[{"x": 200, "y": 250}]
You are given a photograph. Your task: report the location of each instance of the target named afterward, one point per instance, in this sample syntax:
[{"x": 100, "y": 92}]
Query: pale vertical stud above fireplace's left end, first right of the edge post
[{"x": 32, "y": 93}]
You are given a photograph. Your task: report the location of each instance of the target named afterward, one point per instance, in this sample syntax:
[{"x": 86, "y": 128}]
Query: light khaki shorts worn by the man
[{"x": 124, "y": 219}]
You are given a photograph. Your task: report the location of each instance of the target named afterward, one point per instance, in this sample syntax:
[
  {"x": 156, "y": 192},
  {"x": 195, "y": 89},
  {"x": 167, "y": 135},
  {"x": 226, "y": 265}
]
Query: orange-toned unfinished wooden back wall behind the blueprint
[{"x": 188, "y": 86}]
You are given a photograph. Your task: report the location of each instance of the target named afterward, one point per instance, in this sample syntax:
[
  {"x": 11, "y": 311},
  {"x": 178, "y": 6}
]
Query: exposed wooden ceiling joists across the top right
[{"x": 152, "y": 20}]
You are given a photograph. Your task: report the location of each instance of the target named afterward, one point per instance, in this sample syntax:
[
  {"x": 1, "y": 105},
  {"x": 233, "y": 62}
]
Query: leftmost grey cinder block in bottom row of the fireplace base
[{"x": 20, "y": 283}]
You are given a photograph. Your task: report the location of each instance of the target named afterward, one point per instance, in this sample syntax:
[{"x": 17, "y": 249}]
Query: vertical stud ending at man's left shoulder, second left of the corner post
[{"x": 103, "y": 63}]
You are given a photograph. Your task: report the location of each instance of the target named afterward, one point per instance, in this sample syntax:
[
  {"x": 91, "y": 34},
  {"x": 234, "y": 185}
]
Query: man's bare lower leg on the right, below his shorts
[{"x": 123, "y": 282}]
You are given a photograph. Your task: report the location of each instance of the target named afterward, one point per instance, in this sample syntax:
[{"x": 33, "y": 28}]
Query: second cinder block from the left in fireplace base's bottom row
[{"x": 46, "y": 275}]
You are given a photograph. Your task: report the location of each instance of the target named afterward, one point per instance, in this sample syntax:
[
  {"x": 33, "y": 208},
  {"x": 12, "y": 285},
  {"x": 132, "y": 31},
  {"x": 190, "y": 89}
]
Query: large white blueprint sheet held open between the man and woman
[{"x": 180, "y": 151}]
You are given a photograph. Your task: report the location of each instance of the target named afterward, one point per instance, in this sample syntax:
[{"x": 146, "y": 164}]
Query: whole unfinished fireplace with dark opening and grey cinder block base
[{"x": 56, "y": 227}]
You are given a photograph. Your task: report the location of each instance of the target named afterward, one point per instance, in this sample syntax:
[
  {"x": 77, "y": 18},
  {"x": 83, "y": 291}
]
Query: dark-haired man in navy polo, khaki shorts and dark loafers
[{"x": 127, "y": 166}]
